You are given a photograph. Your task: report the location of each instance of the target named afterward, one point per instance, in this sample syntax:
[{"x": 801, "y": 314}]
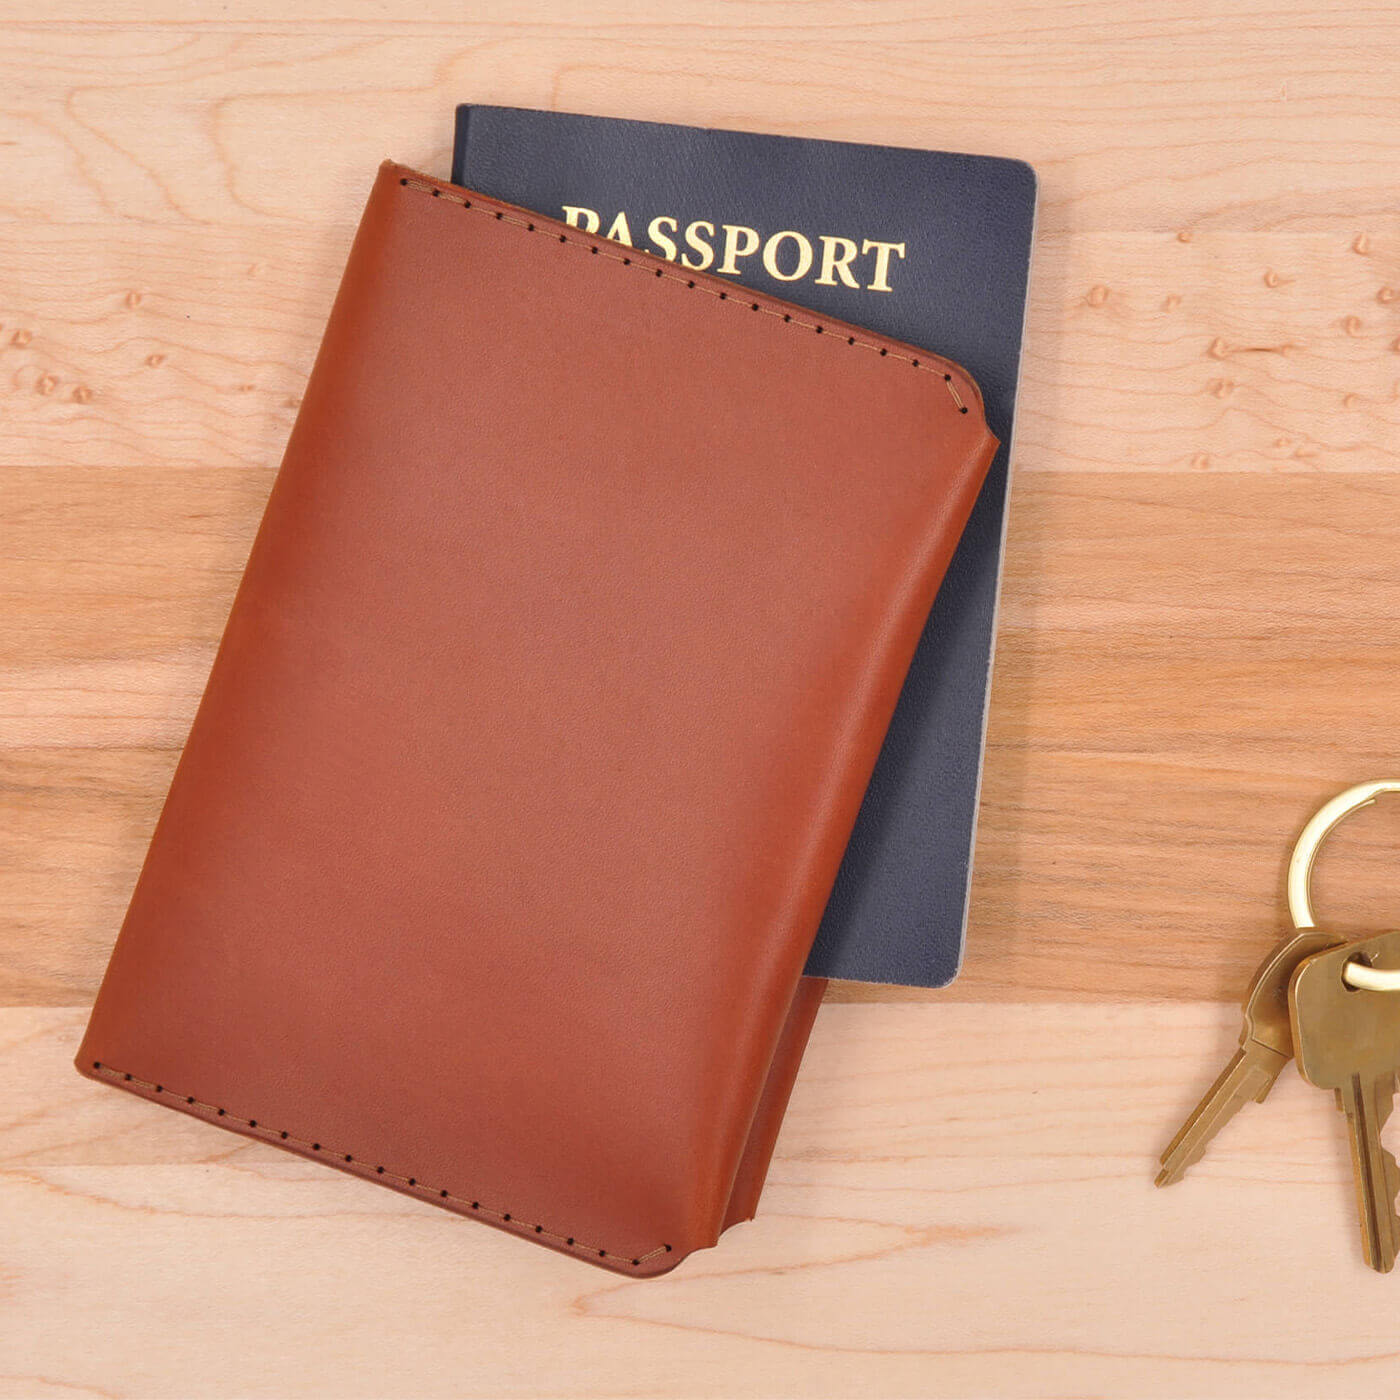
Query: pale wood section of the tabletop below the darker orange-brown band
[{"x": 939, "y": 1221}]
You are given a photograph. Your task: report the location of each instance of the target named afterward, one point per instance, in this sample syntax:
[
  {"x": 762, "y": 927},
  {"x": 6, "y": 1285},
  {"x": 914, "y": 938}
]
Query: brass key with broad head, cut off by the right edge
[{"x": 1349, "y": 1041}]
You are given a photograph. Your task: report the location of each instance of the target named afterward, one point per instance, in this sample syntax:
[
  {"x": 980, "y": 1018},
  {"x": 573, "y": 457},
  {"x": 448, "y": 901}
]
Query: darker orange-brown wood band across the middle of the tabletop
[{"x": 1188, "y": 668}]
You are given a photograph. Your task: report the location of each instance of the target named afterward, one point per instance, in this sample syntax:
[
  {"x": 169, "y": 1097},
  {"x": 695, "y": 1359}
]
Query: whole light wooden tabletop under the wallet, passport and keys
[{"x": 1200, "y": 642}]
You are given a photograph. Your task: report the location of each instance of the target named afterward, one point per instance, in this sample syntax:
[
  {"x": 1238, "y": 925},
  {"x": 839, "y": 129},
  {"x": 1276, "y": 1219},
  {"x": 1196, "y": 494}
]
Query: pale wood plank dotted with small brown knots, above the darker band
[{"x": 163, "y": 348}]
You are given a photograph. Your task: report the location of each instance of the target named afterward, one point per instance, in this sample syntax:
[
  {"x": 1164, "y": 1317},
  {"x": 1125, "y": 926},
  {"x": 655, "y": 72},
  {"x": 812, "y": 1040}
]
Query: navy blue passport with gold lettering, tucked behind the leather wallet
[{"x": 923, "y": 246}]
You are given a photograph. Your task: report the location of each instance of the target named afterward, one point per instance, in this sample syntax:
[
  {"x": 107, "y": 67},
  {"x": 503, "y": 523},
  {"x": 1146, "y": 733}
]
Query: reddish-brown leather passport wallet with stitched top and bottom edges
[{"x": 542, "y": 716}]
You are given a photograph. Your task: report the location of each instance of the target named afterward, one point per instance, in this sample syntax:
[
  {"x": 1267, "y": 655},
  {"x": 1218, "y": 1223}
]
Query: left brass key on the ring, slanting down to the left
[{"x": 1266, "y": 1045}]
